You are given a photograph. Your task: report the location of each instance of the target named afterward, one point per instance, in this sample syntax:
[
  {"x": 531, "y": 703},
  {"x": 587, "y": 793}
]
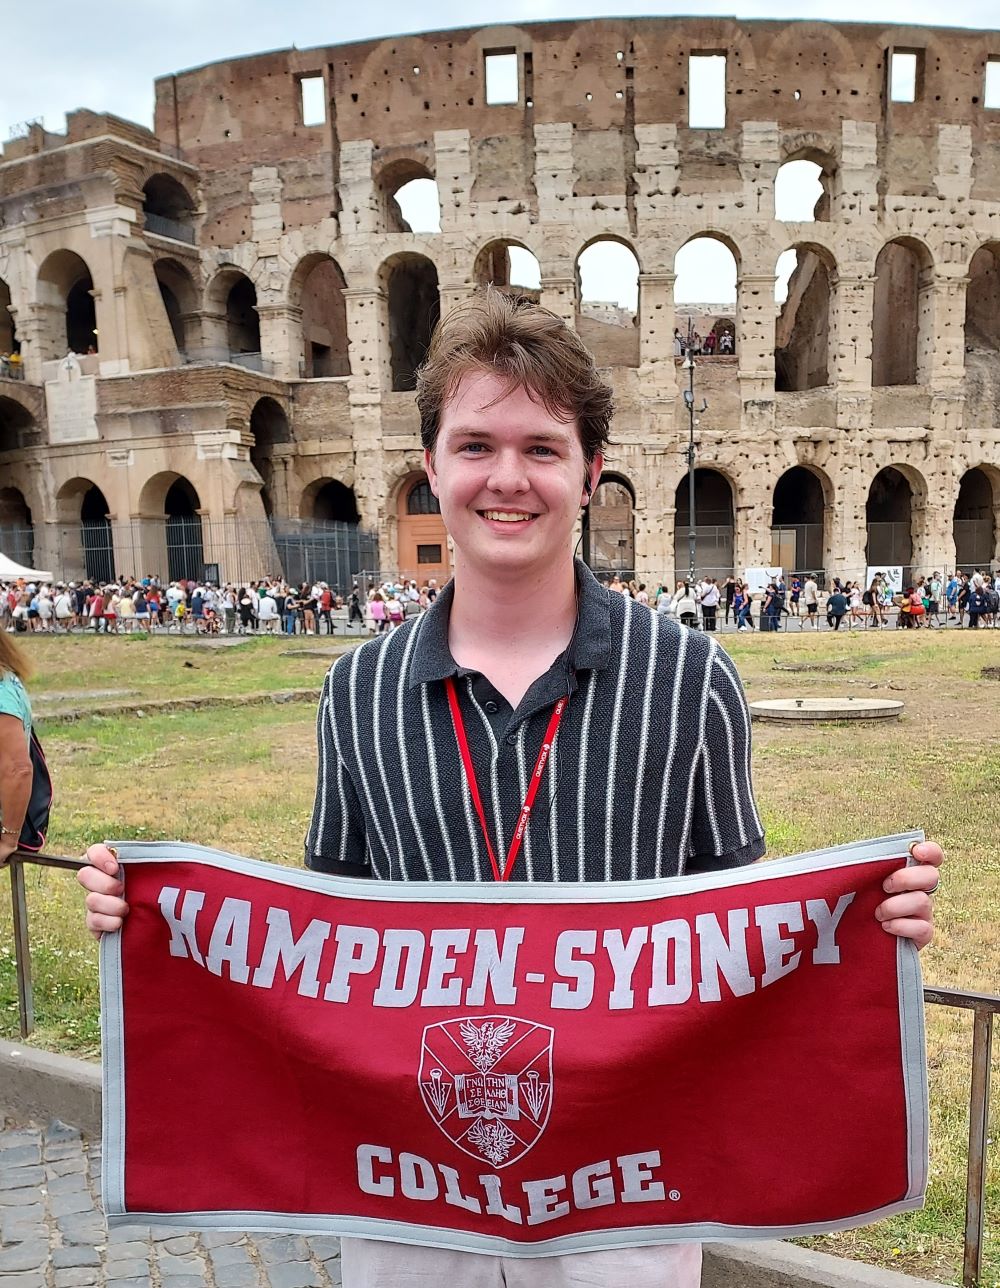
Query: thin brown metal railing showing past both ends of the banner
[{"x": 984, "y": 1007}]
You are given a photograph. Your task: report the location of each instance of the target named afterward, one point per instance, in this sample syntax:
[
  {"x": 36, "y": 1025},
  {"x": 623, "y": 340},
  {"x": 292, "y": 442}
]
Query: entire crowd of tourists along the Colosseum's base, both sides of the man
[{"x": 274, "y": 607}]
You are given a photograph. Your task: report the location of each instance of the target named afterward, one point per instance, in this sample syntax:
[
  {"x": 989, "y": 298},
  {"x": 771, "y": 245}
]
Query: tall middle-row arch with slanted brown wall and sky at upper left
[{"x": 802, "y": 330}]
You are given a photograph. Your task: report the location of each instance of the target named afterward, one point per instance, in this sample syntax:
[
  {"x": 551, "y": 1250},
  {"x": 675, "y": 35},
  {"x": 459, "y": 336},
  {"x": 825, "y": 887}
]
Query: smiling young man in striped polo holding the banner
[{"x": 649, "y": 773}]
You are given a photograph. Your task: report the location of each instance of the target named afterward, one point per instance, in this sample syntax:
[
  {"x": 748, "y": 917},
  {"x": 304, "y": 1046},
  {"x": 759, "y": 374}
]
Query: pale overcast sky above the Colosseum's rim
[{"x": 61, "y": 56}]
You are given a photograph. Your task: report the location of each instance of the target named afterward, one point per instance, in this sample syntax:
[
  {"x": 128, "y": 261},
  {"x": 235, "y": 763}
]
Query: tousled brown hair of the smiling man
[{"x": 530, "y": 347}]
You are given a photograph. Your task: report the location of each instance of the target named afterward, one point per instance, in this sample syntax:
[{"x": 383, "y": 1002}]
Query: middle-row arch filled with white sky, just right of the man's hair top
[{"x": 608, "y": 308}]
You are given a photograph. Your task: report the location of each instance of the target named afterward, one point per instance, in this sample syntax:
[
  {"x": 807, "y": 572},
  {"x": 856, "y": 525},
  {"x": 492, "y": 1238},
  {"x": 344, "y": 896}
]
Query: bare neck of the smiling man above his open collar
[{"x": 512, "y": 630}]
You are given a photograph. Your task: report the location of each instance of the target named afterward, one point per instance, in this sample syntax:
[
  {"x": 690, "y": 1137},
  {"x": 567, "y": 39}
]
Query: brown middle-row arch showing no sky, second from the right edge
[{"x": 901, "y": 316}]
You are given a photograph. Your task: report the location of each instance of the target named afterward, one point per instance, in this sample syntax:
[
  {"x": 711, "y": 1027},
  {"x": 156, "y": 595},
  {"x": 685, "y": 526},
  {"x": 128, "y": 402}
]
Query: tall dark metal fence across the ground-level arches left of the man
[{"x": 189, "y": 548}]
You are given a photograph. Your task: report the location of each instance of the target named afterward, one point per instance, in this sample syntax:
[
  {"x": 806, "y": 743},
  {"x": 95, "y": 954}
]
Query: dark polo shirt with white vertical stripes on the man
[{"x": 649, "y": 777}]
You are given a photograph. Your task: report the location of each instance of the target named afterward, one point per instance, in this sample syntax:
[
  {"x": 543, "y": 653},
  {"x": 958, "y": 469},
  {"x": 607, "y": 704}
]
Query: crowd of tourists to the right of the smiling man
[{"x": 965, "y": 600}]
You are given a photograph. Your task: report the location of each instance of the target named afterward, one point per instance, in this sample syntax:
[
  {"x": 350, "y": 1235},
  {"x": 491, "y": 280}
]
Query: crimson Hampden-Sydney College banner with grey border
[{"x": 517, "y": 1070}]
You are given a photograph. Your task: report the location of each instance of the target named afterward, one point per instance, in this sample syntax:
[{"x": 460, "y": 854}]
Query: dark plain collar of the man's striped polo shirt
[{"x": 590, "y": 649}]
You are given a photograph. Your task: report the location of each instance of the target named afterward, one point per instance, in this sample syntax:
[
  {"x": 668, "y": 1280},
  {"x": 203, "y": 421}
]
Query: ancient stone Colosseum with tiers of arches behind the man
[{"x": 209, "y": 332}]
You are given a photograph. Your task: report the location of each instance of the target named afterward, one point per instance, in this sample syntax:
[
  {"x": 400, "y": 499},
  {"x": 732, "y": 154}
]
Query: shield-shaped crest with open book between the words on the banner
[{"x": 486, "y": 1081}]
